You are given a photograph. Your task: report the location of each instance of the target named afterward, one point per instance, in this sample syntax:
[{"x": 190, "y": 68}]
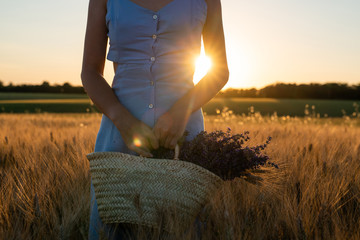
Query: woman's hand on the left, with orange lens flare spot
[{"x": 137, "y": 136}]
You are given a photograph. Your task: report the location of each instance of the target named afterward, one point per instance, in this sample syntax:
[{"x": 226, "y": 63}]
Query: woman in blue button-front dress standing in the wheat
[{"x": 152, "y": 100}]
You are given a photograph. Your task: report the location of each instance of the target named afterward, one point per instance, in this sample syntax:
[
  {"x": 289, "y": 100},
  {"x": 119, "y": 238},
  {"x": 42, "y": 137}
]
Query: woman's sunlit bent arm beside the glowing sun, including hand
[{"x": 171, "y": 126}]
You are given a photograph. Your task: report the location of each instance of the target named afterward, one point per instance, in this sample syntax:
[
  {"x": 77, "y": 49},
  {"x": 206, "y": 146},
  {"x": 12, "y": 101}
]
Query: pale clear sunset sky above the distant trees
[{"x": 307, "y": 41}]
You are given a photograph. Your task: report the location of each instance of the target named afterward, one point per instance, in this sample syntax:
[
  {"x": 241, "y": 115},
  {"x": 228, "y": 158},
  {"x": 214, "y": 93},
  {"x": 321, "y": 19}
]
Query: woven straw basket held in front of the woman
[{"x": 143, "y": 191}]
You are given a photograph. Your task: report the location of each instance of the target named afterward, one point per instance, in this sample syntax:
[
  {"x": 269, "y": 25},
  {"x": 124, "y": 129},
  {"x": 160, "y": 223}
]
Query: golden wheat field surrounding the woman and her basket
[{"x": 315, "y": 193}]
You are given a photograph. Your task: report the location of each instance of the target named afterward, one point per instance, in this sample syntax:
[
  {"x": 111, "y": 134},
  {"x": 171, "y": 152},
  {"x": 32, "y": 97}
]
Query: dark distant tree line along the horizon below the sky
[{"x": 278, "y": 90}]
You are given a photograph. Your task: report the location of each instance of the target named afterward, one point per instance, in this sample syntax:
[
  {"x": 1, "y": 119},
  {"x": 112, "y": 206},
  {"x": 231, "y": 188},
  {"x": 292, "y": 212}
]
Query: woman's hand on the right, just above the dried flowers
[{"x": 170, "y": 127}]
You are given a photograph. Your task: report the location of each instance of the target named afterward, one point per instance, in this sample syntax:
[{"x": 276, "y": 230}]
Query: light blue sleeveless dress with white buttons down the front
[{"x": 155, "y": 52}]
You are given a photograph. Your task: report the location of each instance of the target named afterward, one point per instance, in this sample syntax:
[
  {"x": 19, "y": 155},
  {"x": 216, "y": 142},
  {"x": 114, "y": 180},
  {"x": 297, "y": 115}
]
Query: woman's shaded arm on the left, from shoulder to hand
[{"x": 99, "y": 90}]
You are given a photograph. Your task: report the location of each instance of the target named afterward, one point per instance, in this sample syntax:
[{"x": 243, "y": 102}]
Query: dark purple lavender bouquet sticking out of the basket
[{"x": 220, "y": 152}]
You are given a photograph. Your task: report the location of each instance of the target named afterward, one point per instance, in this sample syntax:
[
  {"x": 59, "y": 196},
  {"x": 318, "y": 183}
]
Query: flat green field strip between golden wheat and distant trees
[{"x": 80, "y": 103}]
